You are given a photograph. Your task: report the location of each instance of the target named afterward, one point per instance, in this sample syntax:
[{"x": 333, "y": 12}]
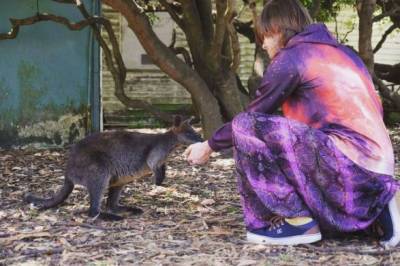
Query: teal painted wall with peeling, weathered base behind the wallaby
[{"x": 49, "y": 77}]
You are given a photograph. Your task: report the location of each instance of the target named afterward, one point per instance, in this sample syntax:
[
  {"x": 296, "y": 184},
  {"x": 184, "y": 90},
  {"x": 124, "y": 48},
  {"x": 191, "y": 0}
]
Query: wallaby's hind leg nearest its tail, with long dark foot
[{"x": 95, "y": 190}]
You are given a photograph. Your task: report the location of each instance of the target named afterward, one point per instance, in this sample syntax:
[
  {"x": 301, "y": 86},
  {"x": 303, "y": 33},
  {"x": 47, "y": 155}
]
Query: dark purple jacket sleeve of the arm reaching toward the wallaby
[{"x": 279, "y": 81}]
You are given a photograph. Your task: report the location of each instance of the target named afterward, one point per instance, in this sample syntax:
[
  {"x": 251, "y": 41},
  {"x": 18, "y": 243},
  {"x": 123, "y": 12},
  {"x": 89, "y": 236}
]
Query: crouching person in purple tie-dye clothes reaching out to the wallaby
[{"x": 327, "y": 164}]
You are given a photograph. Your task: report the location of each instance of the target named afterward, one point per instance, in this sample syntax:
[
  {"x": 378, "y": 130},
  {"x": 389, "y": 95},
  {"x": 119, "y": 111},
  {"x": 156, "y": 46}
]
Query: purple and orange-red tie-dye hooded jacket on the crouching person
[{"x": 325, "y": 85}]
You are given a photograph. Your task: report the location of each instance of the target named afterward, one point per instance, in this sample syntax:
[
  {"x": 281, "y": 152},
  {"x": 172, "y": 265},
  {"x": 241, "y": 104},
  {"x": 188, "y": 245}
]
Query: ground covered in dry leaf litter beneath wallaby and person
[{"x": 194, "y": 219}]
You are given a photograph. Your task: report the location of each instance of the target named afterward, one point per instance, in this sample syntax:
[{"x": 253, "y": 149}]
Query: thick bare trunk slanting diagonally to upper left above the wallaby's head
[{"x": 167, "y": 61}]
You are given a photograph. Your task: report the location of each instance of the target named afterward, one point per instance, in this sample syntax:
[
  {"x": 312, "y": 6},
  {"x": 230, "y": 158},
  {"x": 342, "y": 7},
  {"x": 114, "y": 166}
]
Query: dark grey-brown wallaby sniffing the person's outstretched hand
[{"x": 114, "y": 158}]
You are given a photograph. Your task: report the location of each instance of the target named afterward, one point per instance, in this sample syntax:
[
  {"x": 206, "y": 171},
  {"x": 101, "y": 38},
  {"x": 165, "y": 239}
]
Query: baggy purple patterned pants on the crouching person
[{"x": 289, "y": 169}]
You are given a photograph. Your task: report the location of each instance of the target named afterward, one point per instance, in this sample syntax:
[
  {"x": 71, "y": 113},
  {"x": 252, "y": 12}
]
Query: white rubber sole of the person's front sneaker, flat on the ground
[{"x": 290, "y": 240}]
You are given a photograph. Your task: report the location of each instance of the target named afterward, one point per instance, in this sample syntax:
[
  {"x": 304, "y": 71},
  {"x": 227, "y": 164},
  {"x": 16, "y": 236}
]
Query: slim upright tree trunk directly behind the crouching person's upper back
[{"x": 365, "y": 9}]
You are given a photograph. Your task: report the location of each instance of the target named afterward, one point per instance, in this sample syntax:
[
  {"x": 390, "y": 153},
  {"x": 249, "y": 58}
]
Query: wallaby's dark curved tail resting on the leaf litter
[{"x": 58, "y": 198}]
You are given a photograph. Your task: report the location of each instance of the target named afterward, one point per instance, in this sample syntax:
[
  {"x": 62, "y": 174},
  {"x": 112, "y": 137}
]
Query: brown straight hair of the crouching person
[{"x": 287, "y": 17}]
